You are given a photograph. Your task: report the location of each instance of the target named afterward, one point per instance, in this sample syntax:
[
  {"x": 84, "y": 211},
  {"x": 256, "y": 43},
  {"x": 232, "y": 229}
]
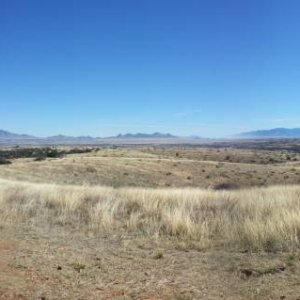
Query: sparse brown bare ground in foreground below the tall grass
[{"x": 55, "y": 263}]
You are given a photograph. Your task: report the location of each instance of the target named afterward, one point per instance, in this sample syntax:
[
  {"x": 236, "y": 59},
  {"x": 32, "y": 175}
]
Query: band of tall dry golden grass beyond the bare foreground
[{"x": 254, "y": 219}]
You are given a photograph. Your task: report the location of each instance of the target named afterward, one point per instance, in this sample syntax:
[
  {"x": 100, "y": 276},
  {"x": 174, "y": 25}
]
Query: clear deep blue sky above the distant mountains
[{"x": 205, "y": 67}]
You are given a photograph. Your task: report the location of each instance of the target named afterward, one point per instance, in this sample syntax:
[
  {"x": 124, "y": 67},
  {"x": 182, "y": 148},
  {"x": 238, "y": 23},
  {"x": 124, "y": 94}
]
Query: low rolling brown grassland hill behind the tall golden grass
[{"x": 160, "y": 167}]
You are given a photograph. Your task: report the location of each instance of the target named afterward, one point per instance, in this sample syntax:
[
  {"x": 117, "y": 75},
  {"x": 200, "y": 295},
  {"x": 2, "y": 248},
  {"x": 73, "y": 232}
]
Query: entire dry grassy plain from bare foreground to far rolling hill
[{"x": 219, "y": 221}]
